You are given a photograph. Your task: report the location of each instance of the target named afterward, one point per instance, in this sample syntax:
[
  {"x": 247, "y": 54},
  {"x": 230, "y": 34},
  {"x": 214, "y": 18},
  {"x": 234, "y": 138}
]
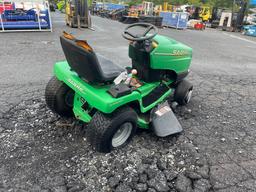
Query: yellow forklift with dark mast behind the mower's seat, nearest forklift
[{"x": 77, "y": 14}]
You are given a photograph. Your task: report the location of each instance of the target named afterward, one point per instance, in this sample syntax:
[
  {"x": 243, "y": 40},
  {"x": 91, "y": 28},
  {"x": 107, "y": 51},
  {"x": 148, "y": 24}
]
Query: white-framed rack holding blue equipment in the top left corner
[{"x": 19, "y": 15}]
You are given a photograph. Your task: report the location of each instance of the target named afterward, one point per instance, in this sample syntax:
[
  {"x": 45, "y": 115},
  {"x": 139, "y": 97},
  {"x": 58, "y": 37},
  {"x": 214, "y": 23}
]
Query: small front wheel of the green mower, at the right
[{"x": 181, "y": 94}]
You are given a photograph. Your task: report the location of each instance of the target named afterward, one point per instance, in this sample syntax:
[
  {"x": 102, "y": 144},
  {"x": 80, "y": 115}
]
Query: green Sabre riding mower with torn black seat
[{"x": 114, "y": 101}]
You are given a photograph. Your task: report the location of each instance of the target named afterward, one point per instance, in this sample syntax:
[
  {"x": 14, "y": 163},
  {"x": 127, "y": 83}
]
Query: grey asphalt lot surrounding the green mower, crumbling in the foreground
[{"x": 216, "y": 152}]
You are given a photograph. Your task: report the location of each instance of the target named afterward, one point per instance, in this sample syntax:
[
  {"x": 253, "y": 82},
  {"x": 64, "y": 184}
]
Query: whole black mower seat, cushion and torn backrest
[{"x": 93, "y": 68}]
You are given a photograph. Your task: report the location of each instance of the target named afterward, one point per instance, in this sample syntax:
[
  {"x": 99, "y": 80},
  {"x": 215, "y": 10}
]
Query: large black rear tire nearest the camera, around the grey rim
[{"x": 102, "y": 128}]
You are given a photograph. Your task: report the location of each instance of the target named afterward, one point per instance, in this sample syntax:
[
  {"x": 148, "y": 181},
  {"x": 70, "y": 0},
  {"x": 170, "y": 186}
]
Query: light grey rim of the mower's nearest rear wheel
[{"x": 122, "y": 134}]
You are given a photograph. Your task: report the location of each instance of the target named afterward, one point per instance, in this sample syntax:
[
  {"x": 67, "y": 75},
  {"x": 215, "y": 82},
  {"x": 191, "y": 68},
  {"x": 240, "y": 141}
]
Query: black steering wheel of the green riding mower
[{"x": 140, "y": 37}]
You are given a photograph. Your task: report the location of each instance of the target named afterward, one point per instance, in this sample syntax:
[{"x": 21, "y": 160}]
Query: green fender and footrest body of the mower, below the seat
[{"x": 88, "y": 97}]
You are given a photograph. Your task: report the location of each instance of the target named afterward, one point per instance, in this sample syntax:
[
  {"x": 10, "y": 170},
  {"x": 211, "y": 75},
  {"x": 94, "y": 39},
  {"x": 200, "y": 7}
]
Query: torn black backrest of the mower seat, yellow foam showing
[{"x": 83, "y": 61}]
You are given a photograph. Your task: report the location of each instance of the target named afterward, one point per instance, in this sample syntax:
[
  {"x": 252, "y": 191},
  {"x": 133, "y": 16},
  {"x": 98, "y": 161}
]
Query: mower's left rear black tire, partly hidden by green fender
[{"x": 59, "y": 97}]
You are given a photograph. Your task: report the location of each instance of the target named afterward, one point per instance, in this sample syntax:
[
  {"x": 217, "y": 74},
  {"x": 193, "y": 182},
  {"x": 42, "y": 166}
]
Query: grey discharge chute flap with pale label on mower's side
[{"x": 164, "y": 121}]
